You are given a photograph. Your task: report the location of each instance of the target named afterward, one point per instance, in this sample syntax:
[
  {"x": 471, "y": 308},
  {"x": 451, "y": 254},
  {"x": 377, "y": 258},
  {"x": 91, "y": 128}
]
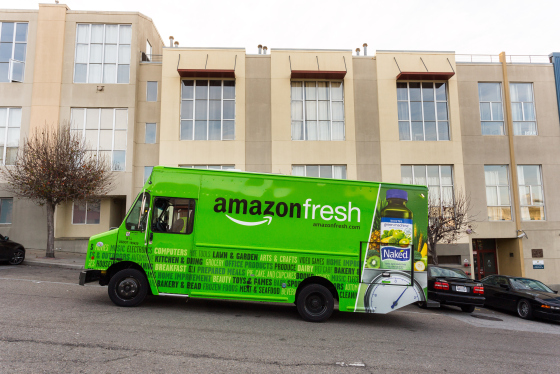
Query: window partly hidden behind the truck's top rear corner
[{"x": 438, "y": 178}]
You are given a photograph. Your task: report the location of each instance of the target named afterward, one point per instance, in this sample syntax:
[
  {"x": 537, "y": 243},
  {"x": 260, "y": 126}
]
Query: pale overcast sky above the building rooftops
[{"x": 518, "y": 27}]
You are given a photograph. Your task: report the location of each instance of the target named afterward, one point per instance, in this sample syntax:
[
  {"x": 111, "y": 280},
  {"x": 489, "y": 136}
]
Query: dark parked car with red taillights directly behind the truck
[{"x": 451, "y": 286}]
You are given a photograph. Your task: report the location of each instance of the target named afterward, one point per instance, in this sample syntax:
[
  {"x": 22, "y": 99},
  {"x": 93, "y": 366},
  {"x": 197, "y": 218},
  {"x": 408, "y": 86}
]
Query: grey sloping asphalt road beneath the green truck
[{"x": 50, "y": 324}]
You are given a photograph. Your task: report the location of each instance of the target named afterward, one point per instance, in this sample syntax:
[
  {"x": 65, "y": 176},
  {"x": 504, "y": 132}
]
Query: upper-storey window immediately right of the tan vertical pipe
[{"x": 523, "y": 109}]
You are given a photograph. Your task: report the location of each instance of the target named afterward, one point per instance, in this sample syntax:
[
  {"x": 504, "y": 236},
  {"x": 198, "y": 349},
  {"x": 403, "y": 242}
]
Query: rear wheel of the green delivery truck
[{"x": 315, "y": 303}]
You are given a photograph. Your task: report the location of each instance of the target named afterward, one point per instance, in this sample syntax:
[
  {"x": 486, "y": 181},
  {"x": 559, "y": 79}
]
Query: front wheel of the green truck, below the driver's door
[{"x": 128, "y": 287}]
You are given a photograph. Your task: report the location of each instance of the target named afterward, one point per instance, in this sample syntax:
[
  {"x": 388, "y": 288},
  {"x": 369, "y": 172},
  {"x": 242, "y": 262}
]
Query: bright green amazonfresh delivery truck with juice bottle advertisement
[{"x": 264, "y": 237}]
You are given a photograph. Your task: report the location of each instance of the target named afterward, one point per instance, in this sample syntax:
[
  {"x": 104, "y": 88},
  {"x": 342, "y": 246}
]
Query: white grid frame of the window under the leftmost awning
[{"x": 208, "y": 100}]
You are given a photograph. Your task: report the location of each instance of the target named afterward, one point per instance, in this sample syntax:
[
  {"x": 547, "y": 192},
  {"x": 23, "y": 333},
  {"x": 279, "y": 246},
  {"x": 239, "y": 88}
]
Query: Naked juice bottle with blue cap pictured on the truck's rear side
[{"x": 396, "y": 232}]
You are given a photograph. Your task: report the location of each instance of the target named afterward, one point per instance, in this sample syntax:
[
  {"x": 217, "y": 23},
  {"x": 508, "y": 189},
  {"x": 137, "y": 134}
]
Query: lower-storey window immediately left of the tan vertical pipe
[{"x": 497, "y": 192}]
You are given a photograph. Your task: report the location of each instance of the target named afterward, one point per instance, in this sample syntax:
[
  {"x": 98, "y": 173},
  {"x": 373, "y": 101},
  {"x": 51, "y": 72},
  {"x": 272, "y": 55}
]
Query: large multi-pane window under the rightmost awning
[{"x": 422, "y": 111}]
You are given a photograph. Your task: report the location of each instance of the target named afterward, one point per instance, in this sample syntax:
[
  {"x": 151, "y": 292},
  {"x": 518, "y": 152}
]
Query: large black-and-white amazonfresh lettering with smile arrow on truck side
[{"x": 269, "y": 209}]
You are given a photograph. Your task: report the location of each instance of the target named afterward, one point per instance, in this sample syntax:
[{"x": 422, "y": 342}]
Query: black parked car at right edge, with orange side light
[{"x": 527, "y": 297}]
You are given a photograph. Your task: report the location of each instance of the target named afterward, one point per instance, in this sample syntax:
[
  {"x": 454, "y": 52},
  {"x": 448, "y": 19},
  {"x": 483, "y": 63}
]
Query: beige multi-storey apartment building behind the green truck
[{"x": 487, "y": 126}]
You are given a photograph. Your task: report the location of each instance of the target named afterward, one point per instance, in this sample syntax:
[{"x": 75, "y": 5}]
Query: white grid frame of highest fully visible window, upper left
[{"x": 103, "y": 63}]
